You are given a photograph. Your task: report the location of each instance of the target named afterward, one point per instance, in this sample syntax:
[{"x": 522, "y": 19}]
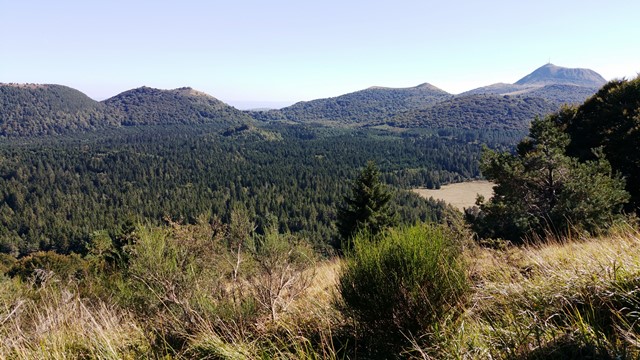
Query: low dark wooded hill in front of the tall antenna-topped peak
[{"x": 478, "y": 111}]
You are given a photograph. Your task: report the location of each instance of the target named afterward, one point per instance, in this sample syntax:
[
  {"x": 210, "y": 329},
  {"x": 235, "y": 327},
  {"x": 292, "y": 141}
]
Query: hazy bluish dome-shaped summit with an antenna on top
[{"x": 550, "y": 74}]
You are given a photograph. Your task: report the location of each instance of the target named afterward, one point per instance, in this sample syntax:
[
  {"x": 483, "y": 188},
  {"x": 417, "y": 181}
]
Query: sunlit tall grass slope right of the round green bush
[{"x": 565, "y": 299}]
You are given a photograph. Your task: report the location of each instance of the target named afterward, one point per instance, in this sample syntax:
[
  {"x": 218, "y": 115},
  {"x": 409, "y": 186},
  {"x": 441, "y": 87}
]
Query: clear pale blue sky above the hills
[{"x": 252, "y": 53}]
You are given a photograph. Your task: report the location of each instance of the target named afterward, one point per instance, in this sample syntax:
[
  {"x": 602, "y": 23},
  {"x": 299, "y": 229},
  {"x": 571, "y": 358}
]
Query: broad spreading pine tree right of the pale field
[{"x": 541, "y": 189}]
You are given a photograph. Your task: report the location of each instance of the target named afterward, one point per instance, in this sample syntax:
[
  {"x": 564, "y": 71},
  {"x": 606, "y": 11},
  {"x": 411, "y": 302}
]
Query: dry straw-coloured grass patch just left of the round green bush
[{"x": 304, "y": 331}]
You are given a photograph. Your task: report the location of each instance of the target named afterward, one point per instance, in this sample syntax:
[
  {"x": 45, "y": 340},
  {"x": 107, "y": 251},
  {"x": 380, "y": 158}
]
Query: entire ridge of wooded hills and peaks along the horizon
[{"x": 34, "y": 110}]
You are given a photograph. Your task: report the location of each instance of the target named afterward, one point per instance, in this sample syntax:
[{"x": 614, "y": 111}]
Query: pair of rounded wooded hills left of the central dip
[{"x": 35, "y": 110}]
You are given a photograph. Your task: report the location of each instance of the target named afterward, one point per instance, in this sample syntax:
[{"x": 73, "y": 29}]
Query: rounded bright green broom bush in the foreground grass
[{"x": 401, "y": 283}]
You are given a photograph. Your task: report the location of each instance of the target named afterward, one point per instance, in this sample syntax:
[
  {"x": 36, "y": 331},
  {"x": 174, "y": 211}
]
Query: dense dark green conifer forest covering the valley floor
[{"x": 57, "y": 191}]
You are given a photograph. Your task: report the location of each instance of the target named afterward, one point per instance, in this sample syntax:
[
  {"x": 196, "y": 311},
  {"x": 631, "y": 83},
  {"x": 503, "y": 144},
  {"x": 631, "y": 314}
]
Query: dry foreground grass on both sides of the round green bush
[{"x": 572, "y": 299}]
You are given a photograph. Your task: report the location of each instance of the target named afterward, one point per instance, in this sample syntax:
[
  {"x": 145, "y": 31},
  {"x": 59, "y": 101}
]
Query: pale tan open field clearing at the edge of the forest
[{"x": 460, "y": 195}]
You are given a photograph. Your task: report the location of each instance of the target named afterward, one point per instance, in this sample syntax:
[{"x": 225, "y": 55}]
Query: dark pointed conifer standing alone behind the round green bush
[{"x": 367, "y": 209}]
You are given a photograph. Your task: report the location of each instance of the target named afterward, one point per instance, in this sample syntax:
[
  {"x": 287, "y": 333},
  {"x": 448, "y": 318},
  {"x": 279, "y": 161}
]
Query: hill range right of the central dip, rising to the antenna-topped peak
[{"x": 500, "y": 105}]
